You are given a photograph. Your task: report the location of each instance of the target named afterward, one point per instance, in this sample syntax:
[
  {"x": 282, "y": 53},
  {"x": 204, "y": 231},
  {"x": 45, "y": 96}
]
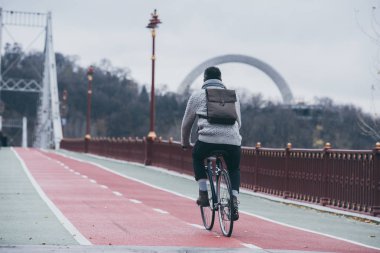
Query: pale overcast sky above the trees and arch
[{"x": 317, "y": 46}]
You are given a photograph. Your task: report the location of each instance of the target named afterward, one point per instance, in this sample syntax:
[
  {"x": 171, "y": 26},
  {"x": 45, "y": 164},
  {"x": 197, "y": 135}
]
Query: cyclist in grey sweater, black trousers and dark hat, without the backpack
[{"x": 212, "y": 137}]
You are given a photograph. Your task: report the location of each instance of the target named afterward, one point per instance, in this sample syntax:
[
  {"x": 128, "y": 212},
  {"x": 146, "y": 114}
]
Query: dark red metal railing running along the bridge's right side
[{"x": 347, "y": 179}]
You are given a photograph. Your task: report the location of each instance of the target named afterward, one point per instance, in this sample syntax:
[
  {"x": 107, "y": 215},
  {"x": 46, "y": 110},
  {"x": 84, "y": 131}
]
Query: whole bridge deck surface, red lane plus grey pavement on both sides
[{"x": 84, "y": 202}]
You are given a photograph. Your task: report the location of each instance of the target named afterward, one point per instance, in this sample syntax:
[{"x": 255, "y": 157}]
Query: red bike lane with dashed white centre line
[{"x": 109, "y": 209}]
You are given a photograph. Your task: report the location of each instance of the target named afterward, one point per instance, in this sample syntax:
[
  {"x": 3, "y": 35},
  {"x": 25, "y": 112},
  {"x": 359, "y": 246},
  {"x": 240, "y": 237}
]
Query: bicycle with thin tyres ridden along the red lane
[{"x": 220, "y": 195}]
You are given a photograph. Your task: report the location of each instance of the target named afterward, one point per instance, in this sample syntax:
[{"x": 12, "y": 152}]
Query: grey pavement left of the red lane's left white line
[{"x": 25, "y": 219}]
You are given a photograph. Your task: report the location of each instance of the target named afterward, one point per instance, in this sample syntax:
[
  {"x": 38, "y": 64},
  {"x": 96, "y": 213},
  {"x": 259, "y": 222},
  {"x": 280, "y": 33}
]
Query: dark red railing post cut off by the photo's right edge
[{"x": 376, "y": 180}]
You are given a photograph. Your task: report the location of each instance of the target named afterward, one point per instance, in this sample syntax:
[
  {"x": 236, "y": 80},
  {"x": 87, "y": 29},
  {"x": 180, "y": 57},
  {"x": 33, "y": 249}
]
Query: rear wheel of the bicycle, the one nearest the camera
[{"x": 225, "y": 207}]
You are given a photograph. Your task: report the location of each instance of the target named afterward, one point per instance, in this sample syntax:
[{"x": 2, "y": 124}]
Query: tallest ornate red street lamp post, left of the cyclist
[{"x": 153, "y": 24}]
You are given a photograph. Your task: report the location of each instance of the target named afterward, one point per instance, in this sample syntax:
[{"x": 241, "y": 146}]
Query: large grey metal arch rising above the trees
[{"x": 286, "y": 93}]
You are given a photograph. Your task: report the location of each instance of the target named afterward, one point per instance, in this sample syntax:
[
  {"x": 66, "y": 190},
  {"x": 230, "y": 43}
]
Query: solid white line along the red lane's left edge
[{"x": 63, "y": 220}]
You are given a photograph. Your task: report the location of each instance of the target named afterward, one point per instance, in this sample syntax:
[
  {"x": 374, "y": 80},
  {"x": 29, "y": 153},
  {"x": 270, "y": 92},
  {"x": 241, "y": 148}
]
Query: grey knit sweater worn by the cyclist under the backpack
[{"x": 210, "y": 133}]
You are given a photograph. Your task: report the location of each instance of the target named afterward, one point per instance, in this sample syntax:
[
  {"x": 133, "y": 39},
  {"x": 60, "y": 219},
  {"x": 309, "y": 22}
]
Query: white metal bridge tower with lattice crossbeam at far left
[{"x": 48, "y": 130}]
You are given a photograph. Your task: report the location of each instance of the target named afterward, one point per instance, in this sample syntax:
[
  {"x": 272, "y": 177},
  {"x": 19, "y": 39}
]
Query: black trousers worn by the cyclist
[{"x": 202, "y": 150}]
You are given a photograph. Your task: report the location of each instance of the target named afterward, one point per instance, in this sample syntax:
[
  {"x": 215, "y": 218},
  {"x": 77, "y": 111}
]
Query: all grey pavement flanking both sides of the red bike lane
[{"x": 27, "y": 223}]
